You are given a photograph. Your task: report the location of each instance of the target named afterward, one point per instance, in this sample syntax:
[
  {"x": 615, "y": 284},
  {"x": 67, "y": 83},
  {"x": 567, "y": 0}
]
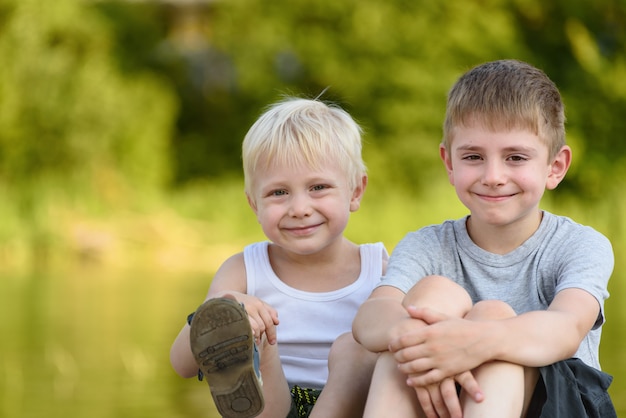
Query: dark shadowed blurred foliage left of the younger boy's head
[{"x": 174, "y": 40}]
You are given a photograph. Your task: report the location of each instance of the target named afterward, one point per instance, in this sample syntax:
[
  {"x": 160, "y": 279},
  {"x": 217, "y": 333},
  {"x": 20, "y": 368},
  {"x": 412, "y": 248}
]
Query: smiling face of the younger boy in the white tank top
[{"x": 301, "y": 209}]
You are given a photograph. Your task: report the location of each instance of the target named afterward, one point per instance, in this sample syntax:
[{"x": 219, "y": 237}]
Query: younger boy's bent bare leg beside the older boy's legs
[{"x": 350, "y": 368}]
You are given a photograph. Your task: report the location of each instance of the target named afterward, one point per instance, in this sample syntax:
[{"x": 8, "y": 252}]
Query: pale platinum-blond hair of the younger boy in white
[{"x": 297, "y": 131}]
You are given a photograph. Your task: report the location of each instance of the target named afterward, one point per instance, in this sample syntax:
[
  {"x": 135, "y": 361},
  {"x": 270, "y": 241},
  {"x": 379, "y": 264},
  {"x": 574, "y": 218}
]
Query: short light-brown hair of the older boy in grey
[{"x": 507, "y": 94}]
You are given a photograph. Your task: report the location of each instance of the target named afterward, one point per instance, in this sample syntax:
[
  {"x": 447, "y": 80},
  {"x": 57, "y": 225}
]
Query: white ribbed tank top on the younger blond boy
[{"x": 310, "y": 321}]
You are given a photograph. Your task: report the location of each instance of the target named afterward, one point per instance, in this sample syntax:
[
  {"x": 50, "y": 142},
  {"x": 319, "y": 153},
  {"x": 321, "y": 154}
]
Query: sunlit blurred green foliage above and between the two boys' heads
[{"x": 390, "y": 64}]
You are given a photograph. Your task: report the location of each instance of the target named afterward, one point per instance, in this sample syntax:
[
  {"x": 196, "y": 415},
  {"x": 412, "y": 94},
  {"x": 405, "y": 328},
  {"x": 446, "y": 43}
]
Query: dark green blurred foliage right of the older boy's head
[{"x": 582, "y": 47}]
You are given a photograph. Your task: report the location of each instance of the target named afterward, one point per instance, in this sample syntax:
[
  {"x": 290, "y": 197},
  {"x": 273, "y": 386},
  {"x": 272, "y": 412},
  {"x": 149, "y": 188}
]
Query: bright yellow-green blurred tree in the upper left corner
[{"x": 67, "y": 115}]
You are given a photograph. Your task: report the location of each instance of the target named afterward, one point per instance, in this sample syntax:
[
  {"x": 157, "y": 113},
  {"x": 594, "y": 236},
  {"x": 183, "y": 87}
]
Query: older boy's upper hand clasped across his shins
[{"x": 445, "y": 347}]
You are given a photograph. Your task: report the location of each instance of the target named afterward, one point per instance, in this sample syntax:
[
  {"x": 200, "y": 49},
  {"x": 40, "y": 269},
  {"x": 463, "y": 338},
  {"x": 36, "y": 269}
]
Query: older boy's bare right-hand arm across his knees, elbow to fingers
[{"x": 532, "y": 339}]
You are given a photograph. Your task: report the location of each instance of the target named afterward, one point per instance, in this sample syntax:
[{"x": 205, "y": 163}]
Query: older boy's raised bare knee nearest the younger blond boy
[{"x": 440, "y": 294}]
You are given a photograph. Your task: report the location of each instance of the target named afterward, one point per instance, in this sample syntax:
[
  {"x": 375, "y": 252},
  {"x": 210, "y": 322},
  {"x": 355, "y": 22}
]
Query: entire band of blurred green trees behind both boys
[{"x": 106, "y": 102}]
